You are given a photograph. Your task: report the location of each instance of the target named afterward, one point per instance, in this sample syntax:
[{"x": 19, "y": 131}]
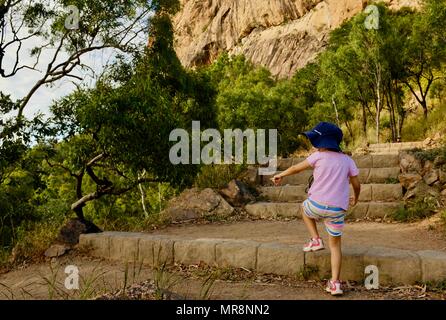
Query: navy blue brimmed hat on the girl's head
[{"x": 325, "y": 135}]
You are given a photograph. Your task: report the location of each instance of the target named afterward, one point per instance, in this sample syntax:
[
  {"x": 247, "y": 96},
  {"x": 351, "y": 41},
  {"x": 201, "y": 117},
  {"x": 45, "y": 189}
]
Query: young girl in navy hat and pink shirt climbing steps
[{"x": 328, "y": 196}]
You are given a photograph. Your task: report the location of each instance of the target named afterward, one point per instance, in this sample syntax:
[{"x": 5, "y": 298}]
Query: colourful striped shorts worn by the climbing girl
[{"x": 333, "y": 217}]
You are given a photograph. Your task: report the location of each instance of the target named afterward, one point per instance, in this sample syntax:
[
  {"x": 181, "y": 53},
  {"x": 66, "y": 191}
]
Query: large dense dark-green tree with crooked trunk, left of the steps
[{"x": 116, "y": 136}]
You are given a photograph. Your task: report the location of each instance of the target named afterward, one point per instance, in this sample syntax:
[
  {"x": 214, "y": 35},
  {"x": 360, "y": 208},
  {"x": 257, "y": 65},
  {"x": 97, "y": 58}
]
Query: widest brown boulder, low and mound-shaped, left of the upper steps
[{"x": 195, "y": 203}]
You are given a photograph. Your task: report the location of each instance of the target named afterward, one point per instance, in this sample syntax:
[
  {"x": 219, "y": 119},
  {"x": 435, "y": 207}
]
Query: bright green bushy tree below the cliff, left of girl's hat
[{"x": 248, "y": 97}]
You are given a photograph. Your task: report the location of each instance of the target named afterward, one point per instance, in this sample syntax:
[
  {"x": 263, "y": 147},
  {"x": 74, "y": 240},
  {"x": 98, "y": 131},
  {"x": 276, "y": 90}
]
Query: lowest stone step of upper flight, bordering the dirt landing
[{"x": 273, "y": 210}]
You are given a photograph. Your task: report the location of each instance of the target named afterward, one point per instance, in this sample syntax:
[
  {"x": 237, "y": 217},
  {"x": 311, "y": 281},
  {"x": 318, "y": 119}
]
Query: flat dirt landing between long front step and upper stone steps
[{"x": 414, "y": 236}]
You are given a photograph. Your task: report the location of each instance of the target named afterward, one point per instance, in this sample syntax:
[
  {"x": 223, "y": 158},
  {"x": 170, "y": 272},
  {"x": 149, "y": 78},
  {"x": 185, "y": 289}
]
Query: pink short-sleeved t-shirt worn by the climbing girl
[{"x": 331, "y": 173}]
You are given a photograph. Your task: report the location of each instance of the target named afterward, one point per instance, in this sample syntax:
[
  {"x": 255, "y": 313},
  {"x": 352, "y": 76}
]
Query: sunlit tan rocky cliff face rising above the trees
[{"x": 282, "y": 35}]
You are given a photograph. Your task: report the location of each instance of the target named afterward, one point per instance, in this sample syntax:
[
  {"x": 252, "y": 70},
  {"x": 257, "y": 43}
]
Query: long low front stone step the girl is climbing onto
[{"x": 395, "y": 266}]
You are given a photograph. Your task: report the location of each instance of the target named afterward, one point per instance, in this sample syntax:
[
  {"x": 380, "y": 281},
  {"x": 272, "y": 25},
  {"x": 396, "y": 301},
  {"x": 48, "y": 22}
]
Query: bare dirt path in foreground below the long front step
[{"x": 100, "y": 276}]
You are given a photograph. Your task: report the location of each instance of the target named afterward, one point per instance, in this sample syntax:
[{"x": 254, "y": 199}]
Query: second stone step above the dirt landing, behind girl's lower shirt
[{"x": 369, "y": 192}]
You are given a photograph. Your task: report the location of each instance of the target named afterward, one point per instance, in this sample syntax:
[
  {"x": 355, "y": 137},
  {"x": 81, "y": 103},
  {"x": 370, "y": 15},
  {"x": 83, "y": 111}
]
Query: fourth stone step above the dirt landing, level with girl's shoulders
[{"x": 362, "y": 161}]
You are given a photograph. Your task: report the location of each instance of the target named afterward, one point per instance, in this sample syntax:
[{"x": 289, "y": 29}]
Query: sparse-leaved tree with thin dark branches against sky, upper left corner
[{"x": 103, "y": 24}]
